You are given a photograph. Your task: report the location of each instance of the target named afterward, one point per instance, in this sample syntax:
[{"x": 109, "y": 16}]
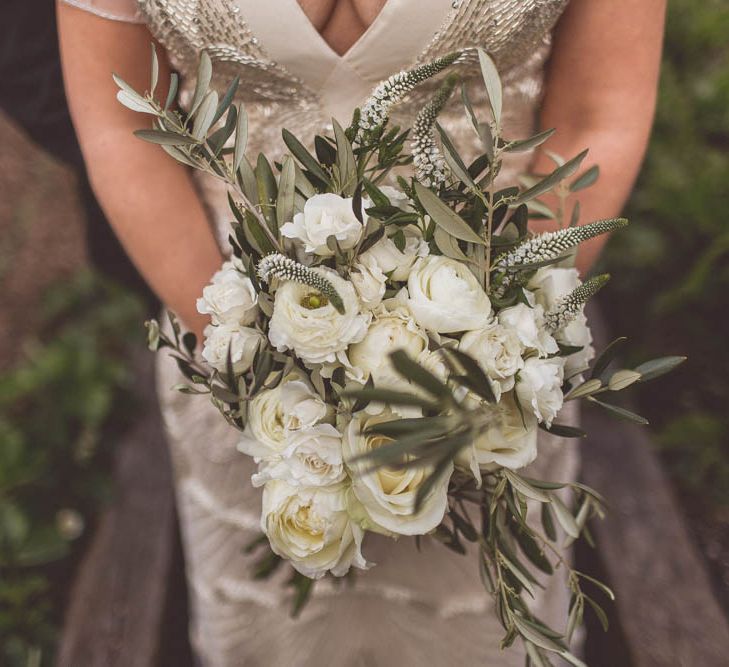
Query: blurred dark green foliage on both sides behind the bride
[{"x": 66, "y": 387}]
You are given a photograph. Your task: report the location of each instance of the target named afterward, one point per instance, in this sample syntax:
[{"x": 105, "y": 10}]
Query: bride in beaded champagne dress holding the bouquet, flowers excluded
[{"x": 586, "y": 67}]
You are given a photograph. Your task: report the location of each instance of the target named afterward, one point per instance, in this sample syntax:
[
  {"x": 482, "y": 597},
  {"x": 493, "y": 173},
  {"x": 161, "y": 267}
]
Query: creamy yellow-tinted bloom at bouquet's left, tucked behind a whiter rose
[{"x": 265, "y": 433}]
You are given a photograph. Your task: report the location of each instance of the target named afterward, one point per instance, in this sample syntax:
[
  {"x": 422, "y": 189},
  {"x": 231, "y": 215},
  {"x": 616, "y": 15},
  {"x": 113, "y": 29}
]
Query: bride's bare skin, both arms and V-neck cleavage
[{"x": 600, "y": 93}]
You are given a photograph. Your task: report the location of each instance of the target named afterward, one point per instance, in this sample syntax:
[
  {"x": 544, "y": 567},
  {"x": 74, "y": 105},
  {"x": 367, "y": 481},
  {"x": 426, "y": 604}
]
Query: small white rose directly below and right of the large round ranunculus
[{"x": 498, "y": 350}]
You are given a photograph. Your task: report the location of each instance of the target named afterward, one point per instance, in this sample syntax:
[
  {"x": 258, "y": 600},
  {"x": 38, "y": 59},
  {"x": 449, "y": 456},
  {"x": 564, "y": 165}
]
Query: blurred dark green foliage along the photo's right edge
[{"x": 671, "y": 272}]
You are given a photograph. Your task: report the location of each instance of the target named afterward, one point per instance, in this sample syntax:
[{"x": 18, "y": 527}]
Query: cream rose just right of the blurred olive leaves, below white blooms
[{"x": 509, "y": 441}]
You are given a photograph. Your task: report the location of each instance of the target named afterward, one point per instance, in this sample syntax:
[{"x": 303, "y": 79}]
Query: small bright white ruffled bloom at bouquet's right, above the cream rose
[{"x": 539, "y": 386}]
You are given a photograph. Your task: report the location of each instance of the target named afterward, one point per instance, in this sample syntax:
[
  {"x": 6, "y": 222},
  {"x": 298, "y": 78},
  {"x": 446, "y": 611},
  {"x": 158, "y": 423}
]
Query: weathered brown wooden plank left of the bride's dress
[{"x": 117, "y": 603}]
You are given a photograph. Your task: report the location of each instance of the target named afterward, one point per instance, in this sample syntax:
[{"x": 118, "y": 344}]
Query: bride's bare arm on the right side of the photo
[{"x": 600, "y": 94}]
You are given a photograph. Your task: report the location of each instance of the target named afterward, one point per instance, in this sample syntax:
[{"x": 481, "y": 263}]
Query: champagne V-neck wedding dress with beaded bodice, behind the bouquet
[{"x": 414, "y": 607}]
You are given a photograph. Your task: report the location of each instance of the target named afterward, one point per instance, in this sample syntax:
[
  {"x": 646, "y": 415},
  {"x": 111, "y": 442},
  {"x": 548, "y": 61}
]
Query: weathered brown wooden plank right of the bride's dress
[{"x": 665, "y": 603}]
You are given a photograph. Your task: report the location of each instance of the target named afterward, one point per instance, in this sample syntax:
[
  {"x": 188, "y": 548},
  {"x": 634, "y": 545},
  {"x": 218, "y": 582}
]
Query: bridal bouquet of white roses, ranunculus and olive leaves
[{"x": 389, "y": 347}]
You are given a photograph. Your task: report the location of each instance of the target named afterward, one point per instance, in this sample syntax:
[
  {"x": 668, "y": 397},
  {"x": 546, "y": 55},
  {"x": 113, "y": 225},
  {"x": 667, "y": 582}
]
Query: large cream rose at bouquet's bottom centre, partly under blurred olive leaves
[{"x": 387, "y": 494}]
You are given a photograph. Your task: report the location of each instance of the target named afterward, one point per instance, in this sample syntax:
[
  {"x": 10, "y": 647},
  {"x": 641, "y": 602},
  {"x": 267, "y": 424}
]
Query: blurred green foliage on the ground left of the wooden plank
[{"x": 54, "y": 407}]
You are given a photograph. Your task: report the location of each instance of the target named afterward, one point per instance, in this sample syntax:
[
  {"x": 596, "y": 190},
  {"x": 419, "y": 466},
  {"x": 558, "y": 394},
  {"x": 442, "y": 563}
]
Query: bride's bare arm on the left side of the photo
[{"x": 148, "y": 198}]
